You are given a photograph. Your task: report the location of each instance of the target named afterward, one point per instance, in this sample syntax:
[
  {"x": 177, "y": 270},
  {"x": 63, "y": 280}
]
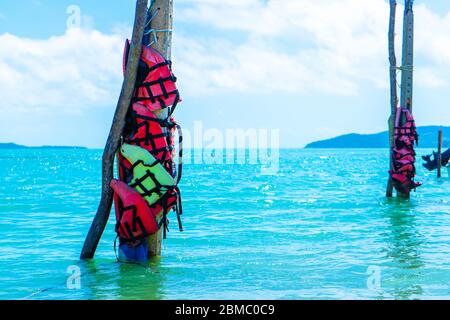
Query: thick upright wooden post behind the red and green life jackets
[{"x": 162, "y": 24}]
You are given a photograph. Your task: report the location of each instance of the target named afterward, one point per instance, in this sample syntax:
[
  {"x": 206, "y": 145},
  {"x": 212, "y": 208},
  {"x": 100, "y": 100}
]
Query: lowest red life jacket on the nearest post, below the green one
[{"x": 134, "y": 218}]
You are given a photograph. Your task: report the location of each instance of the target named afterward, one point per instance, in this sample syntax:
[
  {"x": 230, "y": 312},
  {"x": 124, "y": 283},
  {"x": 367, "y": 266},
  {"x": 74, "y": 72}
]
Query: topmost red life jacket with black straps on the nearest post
[{"x": 155, "y": 84}]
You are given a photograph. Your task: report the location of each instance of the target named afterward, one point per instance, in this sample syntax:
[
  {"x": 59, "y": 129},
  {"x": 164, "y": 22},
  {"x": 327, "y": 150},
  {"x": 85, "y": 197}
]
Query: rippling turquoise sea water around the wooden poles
[{"x": 320, "y": 228}]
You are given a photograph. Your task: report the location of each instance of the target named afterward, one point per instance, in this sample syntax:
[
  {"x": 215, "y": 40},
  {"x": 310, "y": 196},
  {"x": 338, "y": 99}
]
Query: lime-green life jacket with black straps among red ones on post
[{"x": 150, "y": 178}]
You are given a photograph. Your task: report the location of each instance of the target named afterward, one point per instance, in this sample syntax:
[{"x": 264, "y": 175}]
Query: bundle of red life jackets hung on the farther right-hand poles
[{"x": 403, "y": 154}]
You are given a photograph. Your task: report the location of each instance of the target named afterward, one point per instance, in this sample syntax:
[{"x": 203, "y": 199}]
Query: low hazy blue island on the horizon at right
[{"x": 428, "y": 139}]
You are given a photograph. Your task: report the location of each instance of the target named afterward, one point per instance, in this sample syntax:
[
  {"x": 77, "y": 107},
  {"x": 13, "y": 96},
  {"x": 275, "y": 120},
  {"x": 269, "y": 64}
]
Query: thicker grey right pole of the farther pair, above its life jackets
[{"x": 406, "y": 92}]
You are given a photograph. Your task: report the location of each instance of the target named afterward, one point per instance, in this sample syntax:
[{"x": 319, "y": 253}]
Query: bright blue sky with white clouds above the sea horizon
[{"x": 313, "y": 69}]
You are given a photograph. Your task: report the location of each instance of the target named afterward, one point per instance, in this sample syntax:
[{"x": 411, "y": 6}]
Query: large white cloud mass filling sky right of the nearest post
[{"x": 302, "y": 45}]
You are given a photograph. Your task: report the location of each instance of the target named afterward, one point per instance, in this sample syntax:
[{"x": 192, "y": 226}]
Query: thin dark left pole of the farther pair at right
[{"x": 393, "y": 82}]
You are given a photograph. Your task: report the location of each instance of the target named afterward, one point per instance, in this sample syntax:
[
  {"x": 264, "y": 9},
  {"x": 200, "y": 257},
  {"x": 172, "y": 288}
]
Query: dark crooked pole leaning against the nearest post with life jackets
[{"x": 113, "y": 141}]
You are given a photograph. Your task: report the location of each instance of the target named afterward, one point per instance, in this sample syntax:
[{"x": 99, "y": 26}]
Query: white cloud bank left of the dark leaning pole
[{"x": 76, "y": 71}]
